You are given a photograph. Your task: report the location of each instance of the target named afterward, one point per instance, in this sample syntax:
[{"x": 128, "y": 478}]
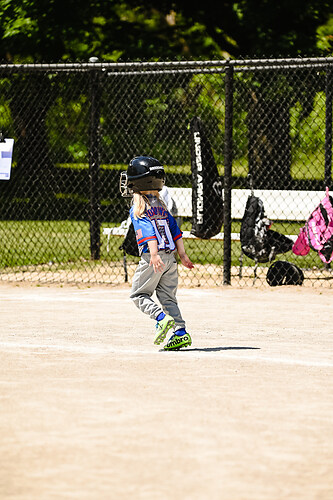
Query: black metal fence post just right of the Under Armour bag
[{"x": 227, "y": 173}]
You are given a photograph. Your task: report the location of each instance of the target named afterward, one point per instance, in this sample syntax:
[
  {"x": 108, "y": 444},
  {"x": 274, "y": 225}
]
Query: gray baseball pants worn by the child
[{"x": 146, "y": 282}]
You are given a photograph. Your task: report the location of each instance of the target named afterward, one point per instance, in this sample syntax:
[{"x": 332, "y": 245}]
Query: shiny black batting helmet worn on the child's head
[{"x": 144, "y": 173}]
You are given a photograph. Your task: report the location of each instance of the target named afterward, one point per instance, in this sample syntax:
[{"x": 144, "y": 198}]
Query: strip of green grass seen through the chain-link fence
[{"x": 67, "y": 244}]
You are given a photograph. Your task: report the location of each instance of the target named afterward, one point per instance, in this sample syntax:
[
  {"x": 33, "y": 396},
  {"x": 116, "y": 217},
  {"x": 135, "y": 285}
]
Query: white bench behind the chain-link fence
[{"x": 279, "y": 206}]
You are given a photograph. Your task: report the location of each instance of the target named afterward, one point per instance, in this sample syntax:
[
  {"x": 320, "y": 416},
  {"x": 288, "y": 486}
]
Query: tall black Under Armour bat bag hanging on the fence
[{"x": 207, "y": 199}]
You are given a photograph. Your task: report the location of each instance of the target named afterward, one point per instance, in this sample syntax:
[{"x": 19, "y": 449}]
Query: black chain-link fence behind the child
[{"x": 76, "y": 126}]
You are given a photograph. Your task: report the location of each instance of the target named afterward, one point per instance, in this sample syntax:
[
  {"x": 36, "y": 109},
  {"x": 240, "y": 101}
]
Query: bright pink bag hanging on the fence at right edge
[{"x": 317, "y": 234}]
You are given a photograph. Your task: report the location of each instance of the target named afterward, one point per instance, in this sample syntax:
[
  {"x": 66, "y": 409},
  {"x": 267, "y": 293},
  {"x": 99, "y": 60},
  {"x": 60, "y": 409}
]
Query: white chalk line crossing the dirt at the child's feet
[{"x": 190, "y": 353}]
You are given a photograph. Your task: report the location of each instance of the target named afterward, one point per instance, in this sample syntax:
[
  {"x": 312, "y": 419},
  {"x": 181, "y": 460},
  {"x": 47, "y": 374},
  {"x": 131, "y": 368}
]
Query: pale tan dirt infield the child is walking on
[{"x": 91, "y": 409}]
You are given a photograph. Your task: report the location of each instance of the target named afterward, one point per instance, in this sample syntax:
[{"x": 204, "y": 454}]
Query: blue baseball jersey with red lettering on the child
[{"x": 156, "y": 224}]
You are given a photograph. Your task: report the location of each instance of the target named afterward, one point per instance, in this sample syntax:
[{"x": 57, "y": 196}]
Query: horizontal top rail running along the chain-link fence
[{"x": 238, "y": 64}]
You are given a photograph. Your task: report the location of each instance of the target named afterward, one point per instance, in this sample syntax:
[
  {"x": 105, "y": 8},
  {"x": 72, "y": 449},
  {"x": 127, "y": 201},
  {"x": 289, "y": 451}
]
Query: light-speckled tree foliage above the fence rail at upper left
[{"x": 50, "y": 31}]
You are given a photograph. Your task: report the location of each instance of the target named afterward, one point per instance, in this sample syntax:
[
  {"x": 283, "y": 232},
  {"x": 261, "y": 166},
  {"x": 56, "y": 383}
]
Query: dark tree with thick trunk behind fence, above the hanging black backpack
[{"x": 258, "y": 28}]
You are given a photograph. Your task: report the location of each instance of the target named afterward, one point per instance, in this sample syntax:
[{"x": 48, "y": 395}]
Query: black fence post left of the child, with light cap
[{"x": 94, "y": 164}]
